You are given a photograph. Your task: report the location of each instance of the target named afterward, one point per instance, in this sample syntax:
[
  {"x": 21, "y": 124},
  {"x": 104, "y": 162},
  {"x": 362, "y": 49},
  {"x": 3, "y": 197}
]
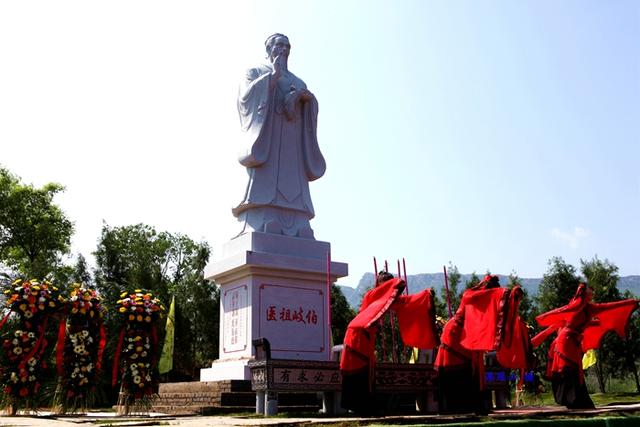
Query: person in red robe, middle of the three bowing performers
[{"x": 486, "y": 320}]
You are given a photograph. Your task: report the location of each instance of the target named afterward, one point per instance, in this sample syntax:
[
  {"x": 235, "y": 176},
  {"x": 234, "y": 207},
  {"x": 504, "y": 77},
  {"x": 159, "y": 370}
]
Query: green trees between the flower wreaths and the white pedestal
[{"x": 138, "y": 256}]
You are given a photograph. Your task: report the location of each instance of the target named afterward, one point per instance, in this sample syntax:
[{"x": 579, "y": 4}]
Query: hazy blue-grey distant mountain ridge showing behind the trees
[{"x": 435, "y": 281}]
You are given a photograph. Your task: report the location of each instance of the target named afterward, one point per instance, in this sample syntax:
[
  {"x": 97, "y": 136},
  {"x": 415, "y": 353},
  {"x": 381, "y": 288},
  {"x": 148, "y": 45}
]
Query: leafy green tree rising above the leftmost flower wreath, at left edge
[{"x": 34, "y": 232}]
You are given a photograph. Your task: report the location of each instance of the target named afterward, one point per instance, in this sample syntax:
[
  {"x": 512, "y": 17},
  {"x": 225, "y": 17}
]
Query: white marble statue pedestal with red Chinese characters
[{"x": 275, "y": 287}]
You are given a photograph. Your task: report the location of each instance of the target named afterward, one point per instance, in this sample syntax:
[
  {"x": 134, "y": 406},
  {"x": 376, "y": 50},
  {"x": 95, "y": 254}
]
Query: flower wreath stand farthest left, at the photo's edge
[{"x": 33, "y": 302}]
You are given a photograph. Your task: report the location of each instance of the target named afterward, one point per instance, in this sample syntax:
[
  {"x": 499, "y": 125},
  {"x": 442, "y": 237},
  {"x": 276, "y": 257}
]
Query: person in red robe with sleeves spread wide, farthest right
[{"x": 580, "y": 326}]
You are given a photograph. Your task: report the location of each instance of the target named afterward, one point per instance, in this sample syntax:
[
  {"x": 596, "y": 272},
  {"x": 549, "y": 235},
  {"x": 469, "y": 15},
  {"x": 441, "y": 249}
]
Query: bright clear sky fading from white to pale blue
[{"x": 492, "y": 134}]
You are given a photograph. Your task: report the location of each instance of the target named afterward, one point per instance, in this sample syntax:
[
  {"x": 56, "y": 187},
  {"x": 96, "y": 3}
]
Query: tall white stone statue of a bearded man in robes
[{"x": 279, "y": 118}]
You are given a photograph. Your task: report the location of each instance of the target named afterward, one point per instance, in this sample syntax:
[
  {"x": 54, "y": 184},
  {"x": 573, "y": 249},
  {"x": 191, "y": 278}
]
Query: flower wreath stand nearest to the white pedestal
[{"x": 138, "y": 346}]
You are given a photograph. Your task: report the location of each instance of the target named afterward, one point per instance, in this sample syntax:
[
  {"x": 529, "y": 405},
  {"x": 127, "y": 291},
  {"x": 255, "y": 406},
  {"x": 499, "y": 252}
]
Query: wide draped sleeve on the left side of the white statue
[{"x": 254, "y": 108}]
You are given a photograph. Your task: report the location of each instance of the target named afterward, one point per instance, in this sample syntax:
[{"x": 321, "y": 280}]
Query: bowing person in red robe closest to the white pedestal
[{"x": 416, "y": 320}]
